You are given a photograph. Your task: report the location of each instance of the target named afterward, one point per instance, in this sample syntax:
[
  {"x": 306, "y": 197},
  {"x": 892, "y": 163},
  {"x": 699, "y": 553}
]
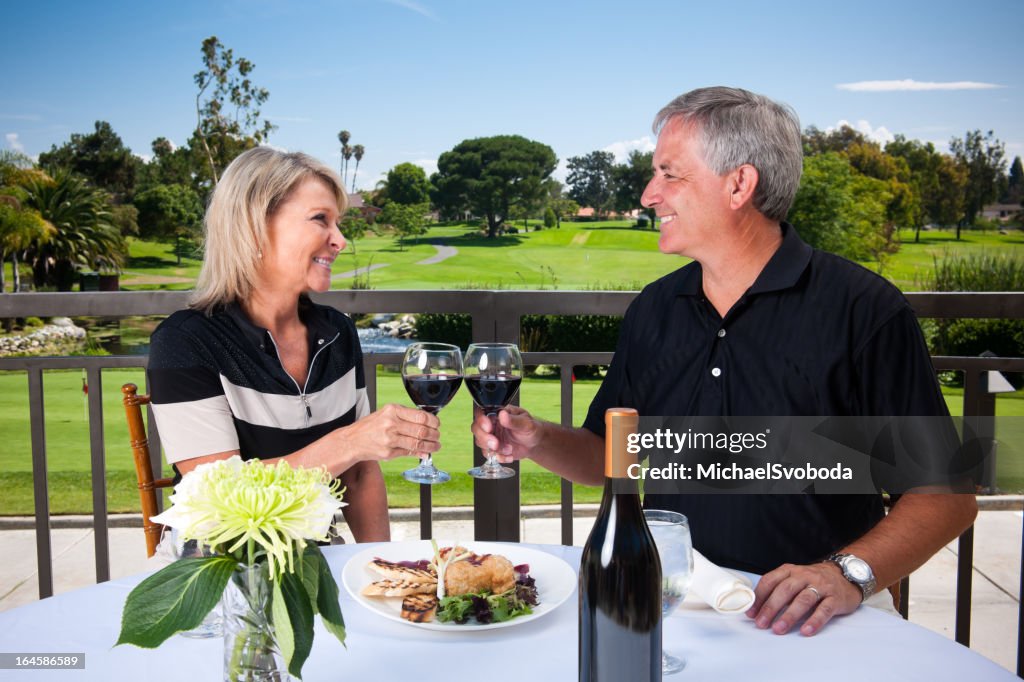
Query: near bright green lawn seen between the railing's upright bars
[{"x": 69, "y": 459}]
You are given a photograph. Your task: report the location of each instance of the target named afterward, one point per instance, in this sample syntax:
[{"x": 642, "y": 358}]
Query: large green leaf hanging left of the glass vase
[{"x": 176, "y": 599}]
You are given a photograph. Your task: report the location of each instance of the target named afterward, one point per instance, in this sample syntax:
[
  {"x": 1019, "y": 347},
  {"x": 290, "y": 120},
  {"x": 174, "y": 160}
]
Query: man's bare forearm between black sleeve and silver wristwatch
[{"x": 919, "y": 526}]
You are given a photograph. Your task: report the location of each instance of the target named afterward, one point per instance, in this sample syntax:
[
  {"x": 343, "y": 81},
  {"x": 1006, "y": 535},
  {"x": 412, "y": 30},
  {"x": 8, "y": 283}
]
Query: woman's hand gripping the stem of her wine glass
[{"x": 392, "y": 432}]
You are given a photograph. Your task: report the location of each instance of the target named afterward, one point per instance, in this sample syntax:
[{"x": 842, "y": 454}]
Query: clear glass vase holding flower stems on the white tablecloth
[{"x": 251, "y": 651}]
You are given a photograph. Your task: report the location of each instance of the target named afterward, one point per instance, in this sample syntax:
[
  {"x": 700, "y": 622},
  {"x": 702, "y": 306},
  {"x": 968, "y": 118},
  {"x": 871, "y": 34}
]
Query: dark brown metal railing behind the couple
[{"x": 496, "y": 317}]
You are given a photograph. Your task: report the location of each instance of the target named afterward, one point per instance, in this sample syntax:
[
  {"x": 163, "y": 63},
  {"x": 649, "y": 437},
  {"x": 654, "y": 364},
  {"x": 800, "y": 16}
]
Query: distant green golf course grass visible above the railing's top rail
[{"x": 576, "y": 257}]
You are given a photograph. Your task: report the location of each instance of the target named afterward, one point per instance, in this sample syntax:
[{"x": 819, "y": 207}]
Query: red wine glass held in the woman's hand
[{"x": 433, "y": 374}]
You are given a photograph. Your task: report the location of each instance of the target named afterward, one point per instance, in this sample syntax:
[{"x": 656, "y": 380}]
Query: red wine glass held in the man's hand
[{"x": 494, "y": 372}]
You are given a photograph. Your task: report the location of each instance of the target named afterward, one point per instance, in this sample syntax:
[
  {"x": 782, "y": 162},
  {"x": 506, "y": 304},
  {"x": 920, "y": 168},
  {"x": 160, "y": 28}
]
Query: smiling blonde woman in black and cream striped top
[{"x": 253, "y": 367}]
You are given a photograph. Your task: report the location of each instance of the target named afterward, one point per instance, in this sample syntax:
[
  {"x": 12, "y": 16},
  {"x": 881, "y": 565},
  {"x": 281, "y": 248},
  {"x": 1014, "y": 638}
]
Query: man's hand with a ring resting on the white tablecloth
[{"x": 785, "y": 596}]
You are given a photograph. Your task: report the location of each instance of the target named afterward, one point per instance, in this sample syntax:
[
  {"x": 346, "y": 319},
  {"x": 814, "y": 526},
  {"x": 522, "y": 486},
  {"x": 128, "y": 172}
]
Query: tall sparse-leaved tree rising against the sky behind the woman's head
[{"x": 228, "y": 107}]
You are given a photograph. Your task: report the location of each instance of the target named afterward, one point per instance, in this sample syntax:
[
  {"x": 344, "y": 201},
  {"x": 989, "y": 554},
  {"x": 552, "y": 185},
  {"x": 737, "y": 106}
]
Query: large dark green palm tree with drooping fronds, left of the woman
[{"x": 84, "y": 235}]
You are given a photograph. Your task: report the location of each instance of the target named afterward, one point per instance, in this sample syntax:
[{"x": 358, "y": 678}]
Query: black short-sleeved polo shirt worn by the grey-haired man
[{"x": 816, "y": 335}]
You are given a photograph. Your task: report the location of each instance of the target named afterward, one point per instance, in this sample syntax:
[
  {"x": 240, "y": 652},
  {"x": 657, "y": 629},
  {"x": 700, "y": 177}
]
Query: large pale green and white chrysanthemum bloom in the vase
[{"x": 248, "y": 509}]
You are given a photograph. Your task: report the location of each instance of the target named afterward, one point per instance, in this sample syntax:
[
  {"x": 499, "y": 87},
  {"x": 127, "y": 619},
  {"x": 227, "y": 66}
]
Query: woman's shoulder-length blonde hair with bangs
[{"x": 235, "y": 228}]
